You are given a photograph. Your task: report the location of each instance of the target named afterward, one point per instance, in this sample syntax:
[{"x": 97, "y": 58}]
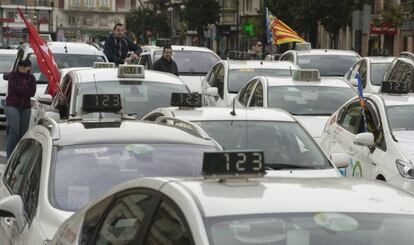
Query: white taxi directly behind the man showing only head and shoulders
[{"x": 193, "y": 62}]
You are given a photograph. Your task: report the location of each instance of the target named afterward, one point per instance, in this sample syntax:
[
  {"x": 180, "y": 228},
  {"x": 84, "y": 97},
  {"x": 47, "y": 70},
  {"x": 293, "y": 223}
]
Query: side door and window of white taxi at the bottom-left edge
[{"x": 22, "y": 177}]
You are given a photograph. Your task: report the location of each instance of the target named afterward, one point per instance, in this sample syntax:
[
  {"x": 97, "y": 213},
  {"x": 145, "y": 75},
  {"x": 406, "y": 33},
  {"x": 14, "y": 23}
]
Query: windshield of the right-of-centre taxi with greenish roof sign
[{"x": 309, "y": 100}]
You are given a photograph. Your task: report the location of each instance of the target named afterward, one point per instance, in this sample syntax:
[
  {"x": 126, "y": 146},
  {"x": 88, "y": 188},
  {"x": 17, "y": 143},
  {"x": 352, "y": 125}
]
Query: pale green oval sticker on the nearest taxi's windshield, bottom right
[{"x": 336, "y": 221}]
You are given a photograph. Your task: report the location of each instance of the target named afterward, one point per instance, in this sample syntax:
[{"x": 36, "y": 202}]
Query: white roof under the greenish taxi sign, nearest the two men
[{"x": 107, "y": 74}]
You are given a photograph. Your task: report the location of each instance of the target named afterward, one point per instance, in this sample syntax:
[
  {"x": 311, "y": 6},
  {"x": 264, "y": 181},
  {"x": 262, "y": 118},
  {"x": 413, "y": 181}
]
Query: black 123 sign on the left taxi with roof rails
[{"x": 101, "y": 103}]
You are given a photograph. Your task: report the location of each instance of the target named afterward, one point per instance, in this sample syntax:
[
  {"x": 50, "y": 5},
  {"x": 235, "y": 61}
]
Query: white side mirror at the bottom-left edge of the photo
[{"x": 12, "y": 206}]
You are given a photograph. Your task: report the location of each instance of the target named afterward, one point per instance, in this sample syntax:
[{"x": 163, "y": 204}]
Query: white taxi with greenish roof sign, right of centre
[{"x": 309, "y": 98}]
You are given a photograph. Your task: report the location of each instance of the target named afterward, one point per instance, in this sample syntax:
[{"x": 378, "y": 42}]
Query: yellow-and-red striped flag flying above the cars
[{"x": 281, "y": 32}]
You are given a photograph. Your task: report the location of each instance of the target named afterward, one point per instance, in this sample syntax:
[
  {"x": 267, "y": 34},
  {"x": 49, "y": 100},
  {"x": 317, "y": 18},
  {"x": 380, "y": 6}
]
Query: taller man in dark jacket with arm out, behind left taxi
[{"x": 117, "y": 46}]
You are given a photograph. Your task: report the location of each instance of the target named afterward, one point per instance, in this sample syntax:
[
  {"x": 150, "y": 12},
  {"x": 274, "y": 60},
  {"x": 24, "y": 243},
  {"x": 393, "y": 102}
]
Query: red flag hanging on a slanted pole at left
[{"x": 44, "y": 56}]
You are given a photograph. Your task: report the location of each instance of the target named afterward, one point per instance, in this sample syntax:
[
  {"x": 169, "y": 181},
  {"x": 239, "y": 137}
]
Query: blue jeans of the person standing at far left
[{"x": 17, "y": 124}]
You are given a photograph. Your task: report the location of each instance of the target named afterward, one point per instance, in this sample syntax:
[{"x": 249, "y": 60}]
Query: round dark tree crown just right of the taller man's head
[{"x": 143, "y": 20}]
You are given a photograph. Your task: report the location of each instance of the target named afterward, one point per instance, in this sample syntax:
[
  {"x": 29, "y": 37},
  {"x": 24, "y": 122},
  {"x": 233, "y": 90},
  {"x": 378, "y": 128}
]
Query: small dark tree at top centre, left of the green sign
[{"x": 199, "y": 14}]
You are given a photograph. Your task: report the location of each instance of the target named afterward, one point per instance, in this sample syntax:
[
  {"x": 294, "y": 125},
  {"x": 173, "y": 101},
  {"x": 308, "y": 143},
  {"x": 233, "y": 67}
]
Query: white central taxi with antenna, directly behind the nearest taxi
[{"x": 288, "y": 148}]
